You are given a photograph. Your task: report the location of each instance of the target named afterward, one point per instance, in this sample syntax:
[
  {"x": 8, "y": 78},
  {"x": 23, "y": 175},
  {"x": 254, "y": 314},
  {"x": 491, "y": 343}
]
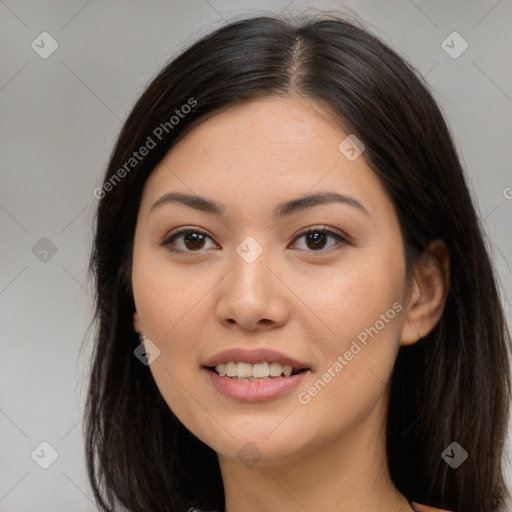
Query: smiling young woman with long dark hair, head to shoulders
[{"x": 295, "y": 305}]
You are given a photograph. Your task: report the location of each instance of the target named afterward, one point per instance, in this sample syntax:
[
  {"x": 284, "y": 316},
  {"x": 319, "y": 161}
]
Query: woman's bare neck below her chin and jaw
[{"x": 347, "y": 473}]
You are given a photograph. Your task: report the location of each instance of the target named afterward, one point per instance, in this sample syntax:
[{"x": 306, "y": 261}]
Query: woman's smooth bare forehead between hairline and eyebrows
[{"x": 265, "y": 150}]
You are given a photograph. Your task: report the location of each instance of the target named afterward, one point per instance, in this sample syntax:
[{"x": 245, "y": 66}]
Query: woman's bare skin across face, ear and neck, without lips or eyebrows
[{"x": 307, "y": 302}]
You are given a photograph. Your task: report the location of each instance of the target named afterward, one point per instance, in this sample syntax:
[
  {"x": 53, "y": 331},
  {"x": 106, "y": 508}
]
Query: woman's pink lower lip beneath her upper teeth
[{"x": 255, "y": 391}]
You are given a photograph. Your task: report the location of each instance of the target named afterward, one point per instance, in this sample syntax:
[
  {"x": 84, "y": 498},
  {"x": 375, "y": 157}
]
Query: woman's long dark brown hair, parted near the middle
[{"x": 453, "y": 385}]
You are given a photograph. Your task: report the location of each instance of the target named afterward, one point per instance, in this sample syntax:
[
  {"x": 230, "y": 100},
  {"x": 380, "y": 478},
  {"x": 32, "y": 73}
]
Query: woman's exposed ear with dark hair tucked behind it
[{"x": 429, "y": 291}]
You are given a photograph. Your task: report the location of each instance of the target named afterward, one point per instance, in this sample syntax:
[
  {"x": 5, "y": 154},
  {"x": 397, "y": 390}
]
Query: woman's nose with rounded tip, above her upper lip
[{"x": 251, "y": 296}]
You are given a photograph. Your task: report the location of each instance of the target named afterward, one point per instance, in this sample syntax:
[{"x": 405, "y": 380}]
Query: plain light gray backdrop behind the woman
[{"x": 60, "y": 118}]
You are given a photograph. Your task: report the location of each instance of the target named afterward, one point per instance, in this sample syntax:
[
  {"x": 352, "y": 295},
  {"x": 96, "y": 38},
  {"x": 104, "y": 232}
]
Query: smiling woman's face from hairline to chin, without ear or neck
[{"x": 320, "y": 282}]
